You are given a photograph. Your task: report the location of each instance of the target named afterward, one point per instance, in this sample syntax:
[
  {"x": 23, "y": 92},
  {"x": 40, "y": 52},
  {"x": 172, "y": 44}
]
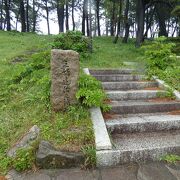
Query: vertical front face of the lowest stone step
[{"x": 109, "y": 158}]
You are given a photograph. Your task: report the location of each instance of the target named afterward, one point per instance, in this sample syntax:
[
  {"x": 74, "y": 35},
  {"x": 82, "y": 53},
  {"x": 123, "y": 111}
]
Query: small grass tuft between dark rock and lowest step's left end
[{"x": 90, "y": 156}]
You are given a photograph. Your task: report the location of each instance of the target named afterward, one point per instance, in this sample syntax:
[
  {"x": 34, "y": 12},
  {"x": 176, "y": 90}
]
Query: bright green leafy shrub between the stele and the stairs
[{"x": 90, "y": 92}]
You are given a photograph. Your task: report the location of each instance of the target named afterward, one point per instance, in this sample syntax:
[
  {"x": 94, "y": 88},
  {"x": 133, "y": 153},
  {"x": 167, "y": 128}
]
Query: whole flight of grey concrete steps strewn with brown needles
[{"x": 141, "y": 124}]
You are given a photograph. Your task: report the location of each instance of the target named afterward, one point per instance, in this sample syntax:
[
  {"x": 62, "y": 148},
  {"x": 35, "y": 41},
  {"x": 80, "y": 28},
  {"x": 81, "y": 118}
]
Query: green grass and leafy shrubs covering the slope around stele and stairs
[{"x": 25, "y": 89}]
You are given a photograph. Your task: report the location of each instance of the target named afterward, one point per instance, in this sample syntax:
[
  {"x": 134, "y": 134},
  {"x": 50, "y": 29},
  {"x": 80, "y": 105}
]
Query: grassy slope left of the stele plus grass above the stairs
[{"x": 22, "y": 107}]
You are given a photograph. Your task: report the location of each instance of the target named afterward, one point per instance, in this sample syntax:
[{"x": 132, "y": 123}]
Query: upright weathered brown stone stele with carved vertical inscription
[{"x": 65, "y": 73}]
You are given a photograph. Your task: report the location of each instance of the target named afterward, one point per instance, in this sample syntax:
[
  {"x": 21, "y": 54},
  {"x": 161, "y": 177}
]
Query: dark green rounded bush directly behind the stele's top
[{"x": 71, "y": 40}]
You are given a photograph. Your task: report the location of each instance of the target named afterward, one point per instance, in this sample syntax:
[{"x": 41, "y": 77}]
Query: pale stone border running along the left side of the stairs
[{"x": 102, "y": 139}]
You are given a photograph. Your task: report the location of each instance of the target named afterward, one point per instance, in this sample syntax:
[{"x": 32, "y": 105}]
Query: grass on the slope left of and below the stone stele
[{"x": 24, "y": 98}]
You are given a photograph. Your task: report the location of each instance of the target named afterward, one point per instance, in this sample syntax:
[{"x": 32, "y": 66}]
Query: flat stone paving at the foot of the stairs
[{"x": 135, "y": 171}]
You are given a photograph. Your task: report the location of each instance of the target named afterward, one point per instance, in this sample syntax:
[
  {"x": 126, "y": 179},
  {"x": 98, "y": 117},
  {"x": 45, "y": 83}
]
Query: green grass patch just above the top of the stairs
[{"x": 109, "y": 55}]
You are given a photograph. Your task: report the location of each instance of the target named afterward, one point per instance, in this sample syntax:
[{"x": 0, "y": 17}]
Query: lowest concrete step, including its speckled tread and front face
[{"x": 135, "y": 147}]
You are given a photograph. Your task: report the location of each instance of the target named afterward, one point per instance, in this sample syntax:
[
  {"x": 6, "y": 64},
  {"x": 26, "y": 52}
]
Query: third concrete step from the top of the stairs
[{"x": 129, "y": 85}]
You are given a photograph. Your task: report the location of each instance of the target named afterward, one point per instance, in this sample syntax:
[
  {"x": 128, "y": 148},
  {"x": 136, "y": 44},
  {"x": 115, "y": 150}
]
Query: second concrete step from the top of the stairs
[{"x": 118, "y": 77}]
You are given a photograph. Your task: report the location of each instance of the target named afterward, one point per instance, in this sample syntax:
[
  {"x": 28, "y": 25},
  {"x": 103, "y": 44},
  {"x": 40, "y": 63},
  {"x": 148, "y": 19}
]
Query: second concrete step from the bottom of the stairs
[{"x": 143, "y": 123}]
